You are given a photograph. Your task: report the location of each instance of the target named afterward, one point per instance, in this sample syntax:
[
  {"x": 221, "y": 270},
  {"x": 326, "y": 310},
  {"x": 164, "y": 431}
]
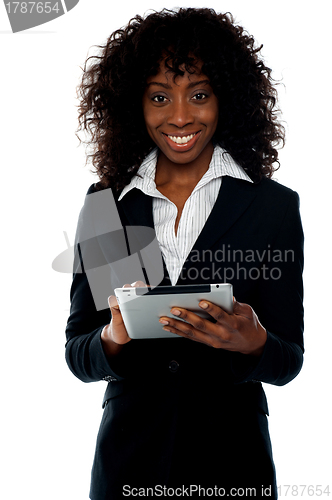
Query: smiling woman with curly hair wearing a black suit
[{"x": 182, "y": 99}]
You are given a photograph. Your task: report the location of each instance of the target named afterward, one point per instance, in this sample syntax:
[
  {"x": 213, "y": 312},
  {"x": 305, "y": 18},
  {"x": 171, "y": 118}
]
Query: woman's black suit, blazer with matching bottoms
[{"x": 180, "y": 413}]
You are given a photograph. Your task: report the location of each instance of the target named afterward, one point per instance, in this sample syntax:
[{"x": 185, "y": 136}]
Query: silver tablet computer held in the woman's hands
[{"x": 141, "y": 307}]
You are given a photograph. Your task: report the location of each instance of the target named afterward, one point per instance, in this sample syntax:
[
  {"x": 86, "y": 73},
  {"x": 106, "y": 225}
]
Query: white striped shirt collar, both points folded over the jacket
[{"x": 221, "y": 164}]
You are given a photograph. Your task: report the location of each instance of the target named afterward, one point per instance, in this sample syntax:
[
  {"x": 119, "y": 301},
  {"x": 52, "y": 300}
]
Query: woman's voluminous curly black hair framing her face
[{"x": 112, "y": 87}]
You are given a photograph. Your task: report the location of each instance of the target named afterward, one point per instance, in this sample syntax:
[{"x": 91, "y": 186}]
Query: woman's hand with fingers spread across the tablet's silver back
[{"x": 240, "y": 331}]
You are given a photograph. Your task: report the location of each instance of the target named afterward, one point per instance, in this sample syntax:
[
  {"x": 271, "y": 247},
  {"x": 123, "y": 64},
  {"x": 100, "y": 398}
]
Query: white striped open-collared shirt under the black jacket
[{"x": 175, "y": 248}]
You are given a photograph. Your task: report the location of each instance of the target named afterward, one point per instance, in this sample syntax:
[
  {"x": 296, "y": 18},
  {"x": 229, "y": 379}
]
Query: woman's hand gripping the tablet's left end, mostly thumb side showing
[{"x": 114, "y": 336}]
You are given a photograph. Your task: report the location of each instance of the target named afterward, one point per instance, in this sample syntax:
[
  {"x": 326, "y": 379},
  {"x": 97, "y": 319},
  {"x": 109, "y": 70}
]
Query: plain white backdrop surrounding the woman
[{"x": 49, "y": 419}]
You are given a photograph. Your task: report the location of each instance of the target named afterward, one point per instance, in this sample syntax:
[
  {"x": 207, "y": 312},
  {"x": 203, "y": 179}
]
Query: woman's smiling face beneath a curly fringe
[{"x": 181, "y": 116}]
